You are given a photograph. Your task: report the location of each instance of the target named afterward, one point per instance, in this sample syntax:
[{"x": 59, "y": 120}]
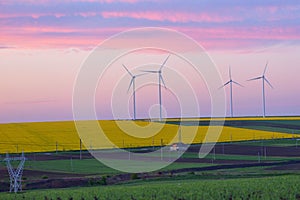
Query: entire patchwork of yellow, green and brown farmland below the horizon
[{"x": 253, "y": 158}]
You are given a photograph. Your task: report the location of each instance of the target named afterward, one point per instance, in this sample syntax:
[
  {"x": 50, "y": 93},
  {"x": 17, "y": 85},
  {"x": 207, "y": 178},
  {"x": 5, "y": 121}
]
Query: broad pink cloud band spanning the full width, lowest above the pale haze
[{"x": 211, "y": 38}]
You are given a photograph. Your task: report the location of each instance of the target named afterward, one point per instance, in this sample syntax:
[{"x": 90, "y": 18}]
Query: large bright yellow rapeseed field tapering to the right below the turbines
[{"x": 49, "y": 136}]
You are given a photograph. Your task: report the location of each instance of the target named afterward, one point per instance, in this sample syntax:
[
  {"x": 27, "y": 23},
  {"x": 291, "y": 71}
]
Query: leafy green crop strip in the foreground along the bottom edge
[{"x": 277, "y": 187}]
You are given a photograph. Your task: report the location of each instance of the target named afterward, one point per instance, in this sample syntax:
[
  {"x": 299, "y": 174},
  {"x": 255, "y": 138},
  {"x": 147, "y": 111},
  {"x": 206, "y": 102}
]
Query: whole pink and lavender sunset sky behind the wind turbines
[{"x": 44, "y": 43}]
